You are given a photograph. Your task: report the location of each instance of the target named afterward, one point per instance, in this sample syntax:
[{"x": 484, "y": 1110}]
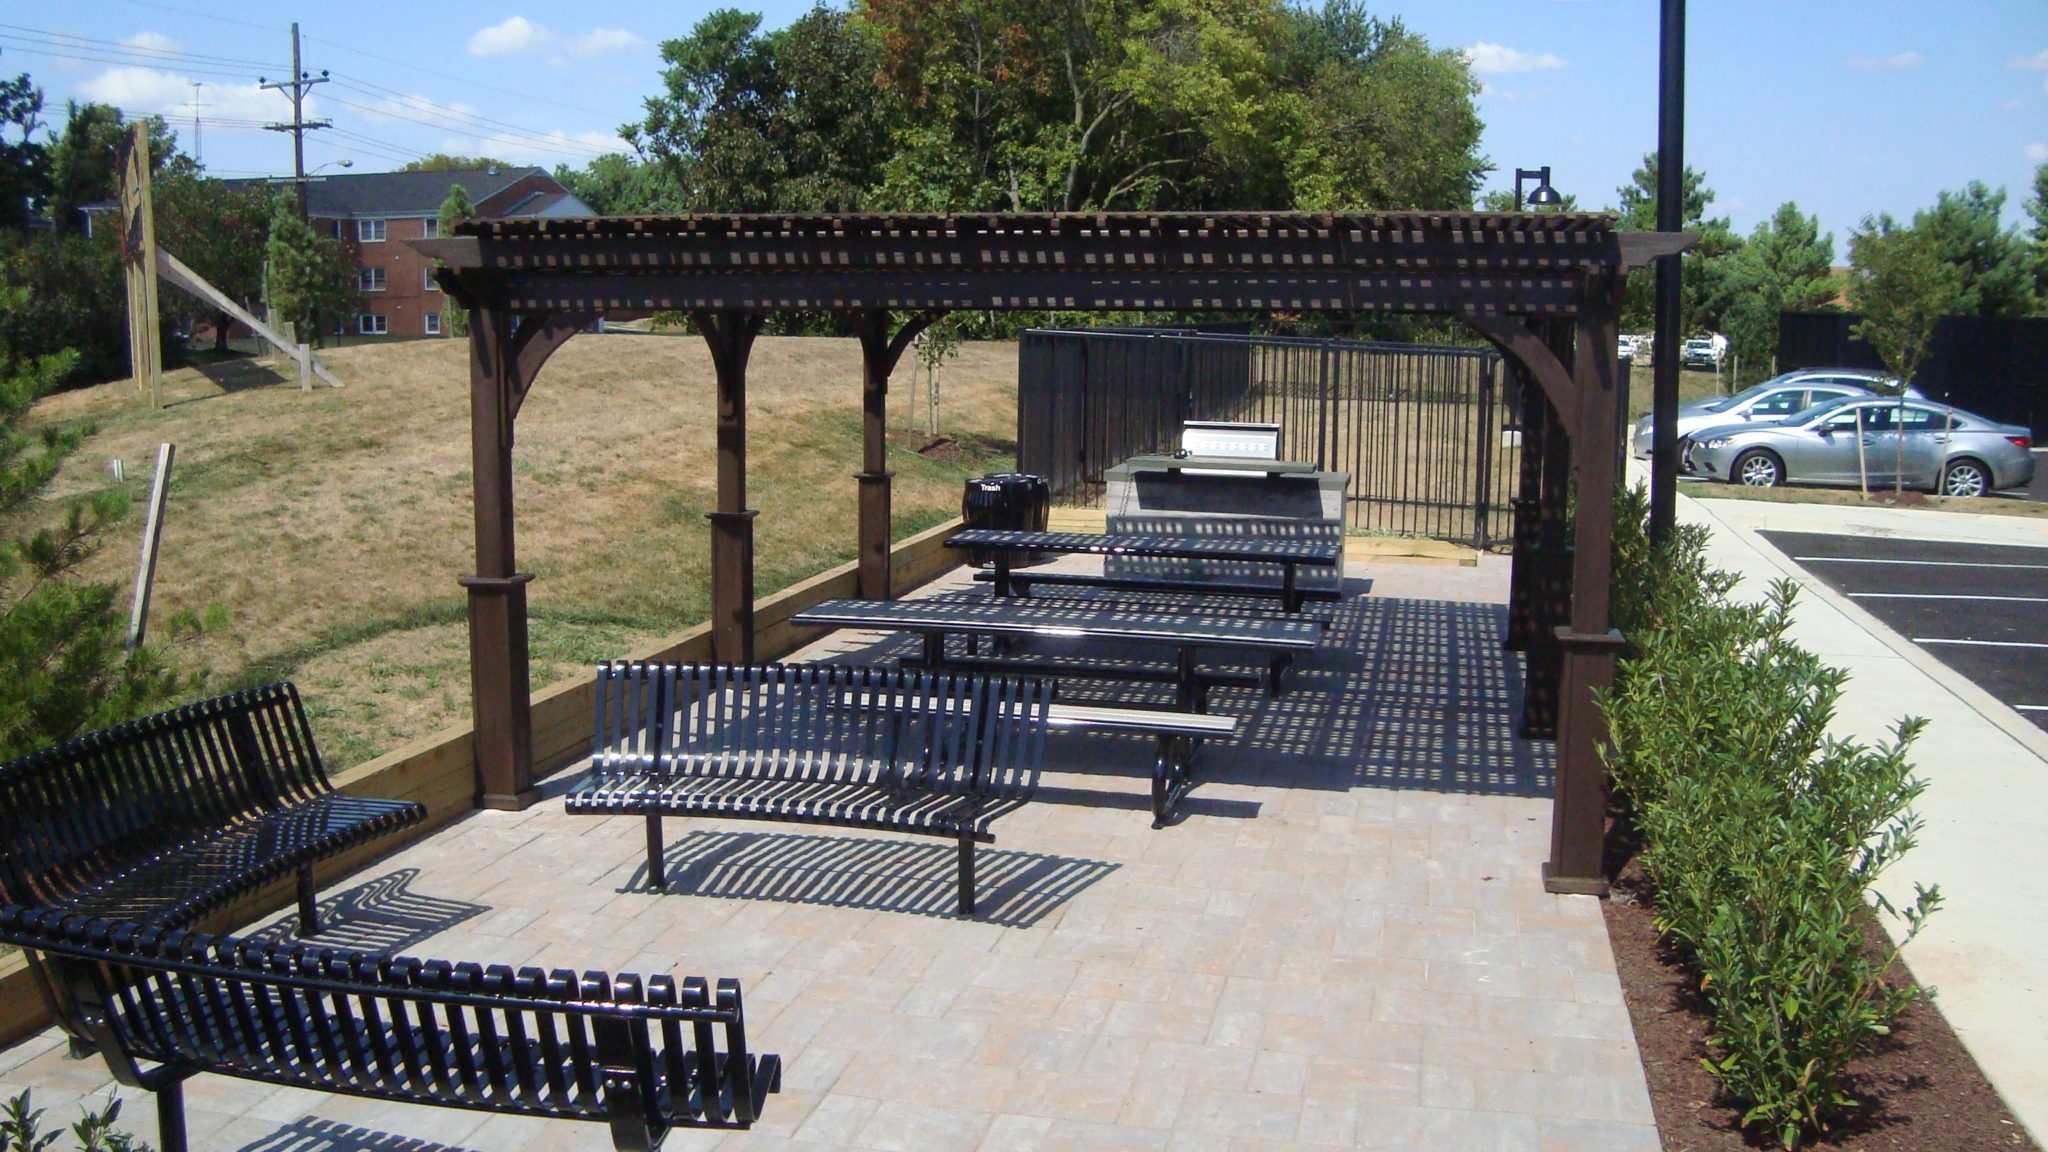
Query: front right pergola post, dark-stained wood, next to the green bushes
[{"x": 1580, "y": 809}]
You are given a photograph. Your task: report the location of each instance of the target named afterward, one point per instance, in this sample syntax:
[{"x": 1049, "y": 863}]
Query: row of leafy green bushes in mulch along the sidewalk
[{"x": 1760, "y": 833}]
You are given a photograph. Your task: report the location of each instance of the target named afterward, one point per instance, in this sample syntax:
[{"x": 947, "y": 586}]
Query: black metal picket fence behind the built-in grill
[{"x": 1422, "y": 429}]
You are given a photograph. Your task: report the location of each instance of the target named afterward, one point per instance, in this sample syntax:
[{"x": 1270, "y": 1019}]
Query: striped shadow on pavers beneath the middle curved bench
[{"x": 1013, "y": 891}]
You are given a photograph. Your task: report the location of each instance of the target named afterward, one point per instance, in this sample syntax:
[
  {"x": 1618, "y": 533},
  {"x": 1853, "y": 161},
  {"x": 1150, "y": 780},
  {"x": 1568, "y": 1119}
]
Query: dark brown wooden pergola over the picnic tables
[{"x": 1543, "y": 288}]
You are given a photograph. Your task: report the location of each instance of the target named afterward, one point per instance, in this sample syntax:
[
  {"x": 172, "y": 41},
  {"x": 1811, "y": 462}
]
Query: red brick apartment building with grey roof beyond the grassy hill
[{"x": 378, "y": 212}]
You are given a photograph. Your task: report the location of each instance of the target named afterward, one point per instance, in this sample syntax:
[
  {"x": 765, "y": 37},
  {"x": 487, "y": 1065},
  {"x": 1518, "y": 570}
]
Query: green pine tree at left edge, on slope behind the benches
[{"x": 62, "y": 663}]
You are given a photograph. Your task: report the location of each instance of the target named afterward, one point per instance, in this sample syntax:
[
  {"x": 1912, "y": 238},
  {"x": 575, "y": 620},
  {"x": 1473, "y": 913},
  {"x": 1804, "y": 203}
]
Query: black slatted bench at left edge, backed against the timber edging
[{"x": 173, "y": 817}]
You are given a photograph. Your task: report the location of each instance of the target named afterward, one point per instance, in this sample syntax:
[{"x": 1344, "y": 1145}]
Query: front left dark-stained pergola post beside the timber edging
[{"x": 499, "y": 677}]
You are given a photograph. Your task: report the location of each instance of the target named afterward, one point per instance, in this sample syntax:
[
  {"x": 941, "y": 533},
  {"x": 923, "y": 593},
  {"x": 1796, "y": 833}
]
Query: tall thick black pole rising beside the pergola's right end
[{"x": 1670, "y": 218}]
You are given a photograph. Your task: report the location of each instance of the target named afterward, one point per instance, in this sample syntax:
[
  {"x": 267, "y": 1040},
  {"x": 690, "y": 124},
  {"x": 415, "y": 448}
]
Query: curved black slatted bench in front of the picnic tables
[{"x": 814, "y": 745}]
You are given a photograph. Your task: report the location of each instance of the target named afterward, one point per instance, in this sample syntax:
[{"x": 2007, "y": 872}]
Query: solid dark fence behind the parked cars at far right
[{"x": 1992, "y": 366}]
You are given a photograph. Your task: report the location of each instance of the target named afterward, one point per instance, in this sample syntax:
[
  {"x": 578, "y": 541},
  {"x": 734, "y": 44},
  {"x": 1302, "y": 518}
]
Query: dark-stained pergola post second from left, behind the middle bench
[{"x": 730, "y": 337}]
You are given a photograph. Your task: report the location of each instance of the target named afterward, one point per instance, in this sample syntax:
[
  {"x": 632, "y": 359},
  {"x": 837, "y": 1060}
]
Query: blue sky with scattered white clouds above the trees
[{"x": 1844, "y": 108}]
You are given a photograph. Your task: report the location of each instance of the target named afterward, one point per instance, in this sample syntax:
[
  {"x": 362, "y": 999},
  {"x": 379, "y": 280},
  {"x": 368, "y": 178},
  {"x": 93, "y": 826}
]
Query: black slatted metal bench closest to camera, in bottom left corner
[{"x": 640, "y": 1057}]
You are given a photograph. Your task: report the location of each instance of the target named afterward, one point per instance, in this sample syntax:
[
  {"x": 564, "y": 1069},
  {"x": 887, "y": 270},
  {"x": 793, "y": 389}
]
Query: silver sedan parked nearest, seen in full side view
[{"x": 1943, "y": 450}]
